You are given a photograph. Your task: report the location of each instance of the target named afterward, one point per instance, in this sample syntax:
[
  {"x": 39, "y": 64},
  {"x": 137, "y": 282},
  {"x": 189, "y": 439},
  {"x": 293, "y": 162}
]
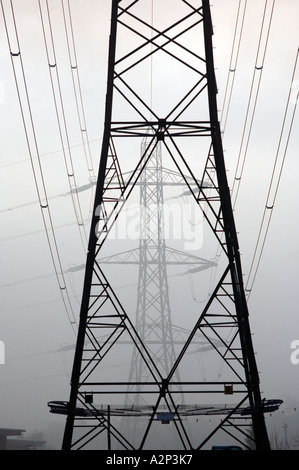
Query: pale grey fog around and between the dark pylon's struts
[{"x": 38, "y": 317}]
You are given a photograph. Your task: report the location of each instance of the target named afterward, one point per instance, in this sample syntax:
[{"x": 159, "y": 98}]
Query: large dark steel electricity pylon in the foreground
[{"x": 185, "y": 122}]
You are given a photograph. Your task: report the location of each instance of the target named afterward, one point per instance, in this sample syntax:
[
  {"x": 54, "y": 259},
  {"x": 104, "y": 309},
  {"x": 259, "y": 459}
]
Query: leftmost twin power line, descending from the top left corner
[{"x": 37, "y": 172}]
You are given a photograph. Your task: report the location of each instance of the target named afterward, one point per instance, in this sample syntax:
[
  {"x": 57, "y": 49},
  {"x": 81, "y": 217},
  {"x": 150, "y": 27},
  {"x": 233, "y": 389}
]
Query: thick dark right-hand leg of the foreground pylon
[{"x": 233, "y": 254}]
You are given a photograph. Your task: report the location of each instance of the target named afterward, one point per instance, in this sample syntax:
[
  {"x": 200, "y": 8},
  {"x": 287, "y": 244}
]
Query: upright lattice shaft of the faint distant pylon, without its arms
[{"x": 153, "y": 317}]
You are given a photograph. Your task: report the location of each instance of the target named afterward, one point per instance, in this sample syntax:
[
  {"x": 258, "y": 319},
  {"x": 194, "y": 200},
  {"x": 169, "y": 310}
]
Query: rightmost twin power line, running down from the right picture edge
[{"x": 270, "y": 204}]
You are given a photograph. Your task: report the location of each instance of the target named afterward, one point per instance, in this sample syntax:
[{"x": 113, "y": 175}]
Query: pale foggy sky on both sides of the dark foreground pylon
[{"x": 34, "y": 324}]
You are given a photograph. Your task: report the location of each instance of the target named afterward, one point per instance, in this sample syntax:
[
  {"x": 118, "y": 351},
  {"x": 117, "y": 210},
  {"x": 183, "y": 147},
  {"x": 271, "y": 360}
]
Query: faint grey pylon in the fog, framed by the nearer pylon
[{"x": 153, "y": 315}]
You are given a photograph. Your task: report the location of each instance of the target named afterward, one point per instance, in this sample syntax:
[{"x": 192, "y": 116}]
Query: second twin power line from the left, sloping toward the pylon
[{"x": 68, "y": 164}]
